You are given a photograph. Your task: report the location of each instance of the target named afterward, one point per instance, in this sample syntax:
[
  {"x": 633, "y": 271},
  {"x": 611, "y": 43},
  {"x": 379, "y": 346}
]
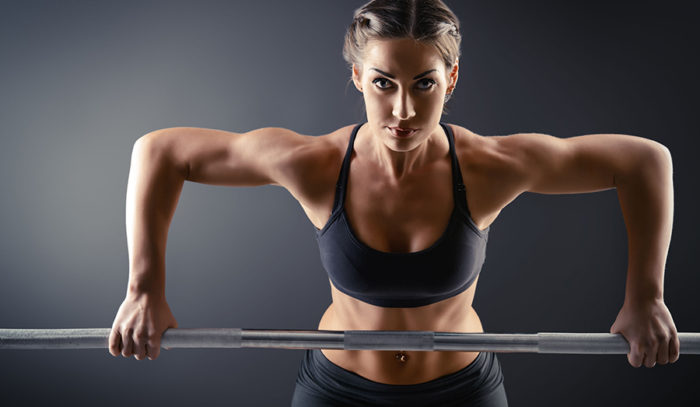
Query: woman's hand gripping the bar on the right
[{"x": 648, "y": 327}]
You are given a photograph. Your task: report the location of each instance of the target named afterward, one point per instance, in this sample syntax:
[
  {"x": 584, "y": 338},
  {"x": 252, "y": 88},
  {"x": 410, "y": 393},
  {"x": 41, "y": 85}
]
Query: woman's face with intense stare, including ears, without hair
[{"x": 404, "y": 85}]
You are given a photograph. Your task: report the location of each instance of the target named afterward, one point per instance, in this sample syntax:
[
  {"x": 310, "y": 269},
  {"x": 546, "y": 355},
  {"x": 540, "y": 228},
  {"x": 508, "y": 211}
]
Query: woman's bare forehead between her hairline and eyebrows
[{"x": 401, "y": 56}]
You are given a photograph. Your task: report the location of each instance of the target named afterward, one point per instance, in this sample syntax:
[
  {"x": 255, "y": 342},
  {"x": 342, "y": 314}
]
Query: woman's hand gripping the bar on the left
[{"x": 139, "y": 324}]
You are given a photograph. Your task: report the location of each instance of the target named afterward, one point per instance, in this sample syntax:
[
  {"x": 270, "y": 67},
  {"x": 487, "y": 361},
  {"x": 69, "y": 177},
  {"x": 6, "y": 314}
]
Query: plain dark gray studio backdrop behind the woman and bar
[{"x": 80, "y": 81}]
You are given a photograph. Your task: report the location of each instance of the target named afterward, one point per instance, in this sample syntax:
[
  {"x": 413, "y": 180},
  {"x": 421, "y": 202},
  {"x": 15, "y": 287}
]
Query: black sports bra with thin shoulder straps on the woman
[{"x": 413, "y": 279}]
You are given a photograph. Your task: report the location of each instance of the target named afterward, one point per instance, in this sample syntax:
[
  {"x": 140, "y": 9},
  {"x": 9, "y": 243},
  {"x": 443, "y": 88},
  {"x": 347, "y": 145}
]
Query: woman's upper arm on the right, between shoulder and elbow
[{"x": 586, "y": 163}]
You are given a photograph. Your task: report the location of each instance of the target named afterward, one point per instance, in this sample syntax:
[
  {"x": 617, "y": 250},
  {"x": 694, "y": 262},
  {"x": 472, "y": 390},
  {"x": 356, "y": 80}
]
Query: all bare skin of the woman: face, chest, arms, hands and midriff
[{"x": 389, "y": 181}]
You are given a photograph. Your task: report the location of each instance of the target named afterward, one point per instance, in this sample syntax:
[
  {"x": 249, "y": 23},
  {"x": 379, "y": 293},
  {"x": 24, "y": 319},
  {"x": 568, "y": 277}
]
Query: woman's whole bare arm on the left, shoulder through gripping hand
[{"x": 161, "y": 162}]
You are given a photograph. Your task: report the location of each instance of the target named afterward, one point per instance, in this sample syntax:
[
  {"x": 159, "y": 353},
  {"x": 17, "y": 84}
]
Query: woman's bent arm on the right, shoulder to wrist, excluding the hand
[{"x": 640, "y": 170}]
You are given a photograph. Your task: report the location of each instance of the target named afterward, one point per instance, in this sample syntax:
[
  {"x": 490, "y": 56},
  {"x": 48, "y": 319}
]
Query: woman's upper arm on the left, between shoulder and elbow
[{"x": 220, "y": 157}]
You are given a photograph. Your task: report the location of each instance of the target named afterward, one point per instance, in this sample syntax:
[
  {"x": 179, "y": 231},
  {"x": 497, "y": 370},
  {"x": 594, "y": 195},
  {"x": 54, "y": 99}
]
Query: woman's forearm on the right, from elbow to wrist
[{"x": 646, "y": 200}]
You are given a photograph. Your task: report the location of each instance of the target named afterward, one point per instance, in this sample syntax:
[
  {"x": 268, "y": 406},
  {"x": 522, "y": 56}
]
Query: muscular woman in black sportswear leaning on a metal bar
[{"x": 402, "y": 205}]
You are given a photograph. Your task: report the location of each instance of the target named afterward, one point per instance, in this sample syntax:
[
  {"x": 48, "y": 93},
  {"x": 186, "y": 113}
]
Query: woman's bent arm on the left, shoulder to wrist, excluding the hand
[{"x": 164, "y": 159}]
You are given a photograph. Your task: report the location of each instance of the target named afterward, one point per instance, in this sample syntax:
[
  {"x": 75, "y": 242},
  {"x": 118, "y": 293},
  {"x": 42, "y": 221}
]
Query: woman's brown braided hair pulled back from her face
[{"x": 429, "y": 22}]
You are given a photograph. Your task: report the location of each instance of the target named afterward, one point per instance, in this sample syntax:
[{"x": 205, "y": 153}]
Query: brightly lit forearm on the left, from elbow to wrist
[{"x": 154, "y": 186}]
